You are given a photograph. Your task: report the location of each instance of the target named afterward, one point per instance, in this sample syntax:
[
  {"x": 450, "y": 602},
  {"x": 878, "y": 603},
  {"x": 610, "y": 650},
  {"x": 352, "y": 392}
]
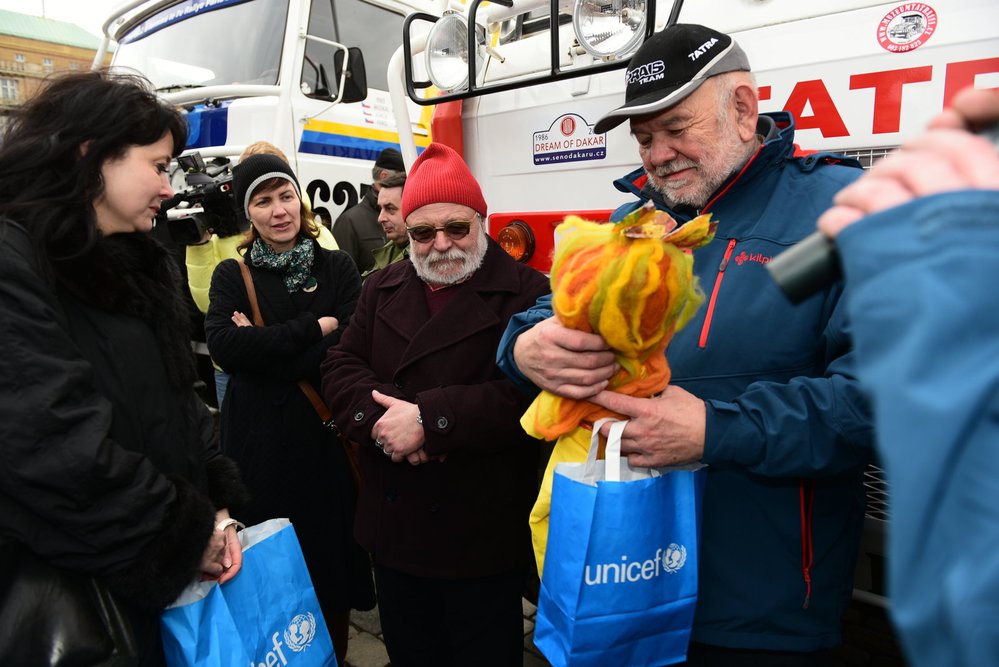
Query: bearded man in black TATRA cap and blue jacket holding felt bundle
[{"x": 762, "y": 391}]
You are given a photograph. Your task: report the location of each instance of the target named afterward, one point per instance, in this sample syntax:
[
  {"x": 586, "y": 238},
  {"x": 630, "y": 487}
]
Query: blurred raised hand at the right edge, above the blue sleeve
[{"x": 943, "y": 159}]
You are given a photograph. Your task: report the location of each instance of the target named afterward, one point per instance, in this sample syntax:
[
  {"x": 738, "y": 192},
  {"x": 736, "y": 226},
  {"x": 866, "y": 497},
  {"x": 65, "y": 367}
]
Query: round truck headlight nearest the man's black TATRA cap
[{"x": 613, "y": 29}]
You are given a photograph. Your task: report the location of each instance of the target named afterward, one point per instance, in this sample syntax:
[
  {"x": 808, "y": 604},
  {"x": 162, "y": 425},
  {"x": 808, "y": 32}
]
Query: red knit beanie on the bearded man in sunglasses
[{"x": 440, "y": 176}]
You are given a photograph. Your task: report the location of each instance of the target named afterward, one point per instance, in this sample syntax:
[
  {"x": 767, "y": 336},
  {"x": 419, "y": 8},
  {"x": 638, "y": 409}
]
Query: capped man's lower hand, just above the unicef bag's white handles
[{"x": 663, "y": 431}]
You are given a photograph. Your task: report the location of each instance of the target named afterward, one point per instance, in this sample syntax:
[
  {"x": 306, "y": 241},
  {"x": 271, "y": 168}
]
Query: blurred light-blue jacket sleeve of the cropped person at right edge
[{"x": 922, "y": 293}]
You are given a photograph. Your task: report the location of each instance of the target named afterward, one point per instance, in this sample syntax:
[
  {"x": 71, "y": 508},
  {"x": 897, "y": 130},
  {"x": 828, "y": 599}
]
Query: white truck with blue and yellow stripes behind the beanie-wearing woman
[{"x": 305, "y": 75}]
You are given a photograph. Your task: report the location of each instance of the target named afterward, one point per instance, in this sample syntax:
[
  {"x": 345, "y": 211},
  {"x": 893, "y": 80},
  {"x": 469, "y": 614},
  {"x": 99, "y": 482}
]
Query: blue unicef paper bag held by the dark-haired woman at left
[{"x": 268, "y": 614}]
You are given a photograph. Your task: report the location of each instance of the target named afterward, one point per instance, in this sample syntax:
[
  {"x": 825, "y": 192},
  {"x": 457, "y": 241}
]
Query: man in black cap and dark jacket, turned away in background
[{"x": 357, "y": 230}]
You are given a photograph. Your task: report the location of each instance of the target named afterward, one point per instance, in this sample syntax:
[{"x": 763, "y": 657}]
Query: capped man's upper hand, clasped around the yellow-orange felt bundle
[{"x": 564, "y": 361}]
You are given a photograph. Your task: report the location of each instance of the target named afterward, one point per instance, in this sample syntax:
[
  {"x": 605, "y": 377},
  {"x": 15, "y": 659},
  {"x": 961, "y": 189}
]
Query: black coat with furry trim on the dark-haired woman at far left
[{"x": 109, "y": 463}]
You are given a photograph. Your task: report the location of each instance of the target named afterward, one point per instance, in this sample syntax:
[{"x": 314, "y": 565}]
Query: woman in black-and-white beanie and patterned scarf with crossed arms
[{"x": 292, "y": 462}]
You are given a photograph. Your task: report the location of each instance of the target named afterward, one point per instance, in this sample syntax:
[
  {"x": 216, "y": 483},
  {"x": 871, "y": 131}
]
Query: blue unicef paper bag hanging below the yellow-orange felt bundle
[{"x": 620, "y": 574}]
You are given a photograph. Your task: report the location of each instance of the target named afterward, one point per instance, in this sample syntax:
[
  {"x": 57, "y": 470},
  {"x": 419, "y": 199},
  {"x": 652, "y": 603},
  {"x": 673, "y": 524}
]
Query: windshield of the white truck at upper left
[{"x": 185, "y": 45}]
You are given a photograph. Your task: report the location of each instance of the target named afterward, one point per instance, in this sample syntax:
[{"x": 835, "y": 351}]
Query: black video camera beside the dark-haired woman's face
[{"x": 207, "y": 205}]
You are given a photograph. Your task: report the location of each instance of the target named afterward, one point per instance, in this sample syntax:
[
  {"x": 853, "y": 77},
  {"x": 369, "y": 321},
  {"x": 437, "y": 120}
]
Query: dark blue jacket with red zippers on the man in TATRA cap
[{"x": 788, "y": 432}]
